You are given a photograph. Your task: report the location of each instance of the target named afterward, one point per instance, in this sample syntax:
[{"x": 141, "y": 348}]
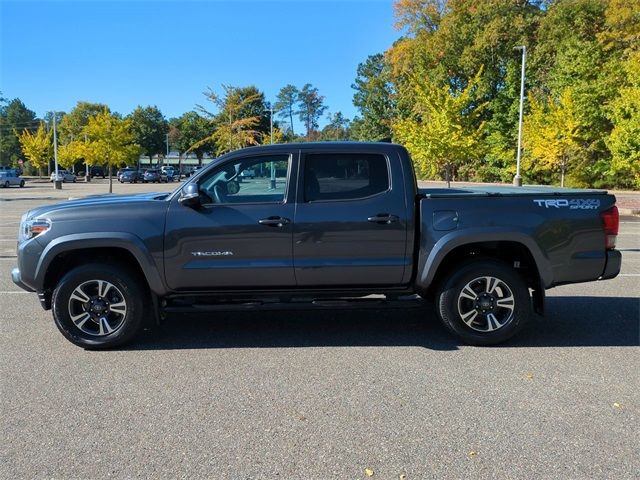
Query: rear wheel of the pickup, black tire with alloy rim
[{"x": 496, "y": 318}]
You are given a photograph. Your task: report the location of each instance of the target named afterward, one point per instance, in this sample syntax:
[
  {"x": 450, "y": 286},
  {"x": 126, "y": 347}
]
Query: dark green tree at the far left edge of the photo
[{"x": 14, "y": 117}]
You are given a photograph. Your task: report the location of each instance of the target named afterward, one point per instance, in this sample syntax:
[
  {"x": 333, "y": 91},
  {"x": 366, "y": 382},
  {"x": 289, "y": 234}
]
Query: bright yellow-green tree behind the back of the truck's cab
[{"x": 444, "y": 132}]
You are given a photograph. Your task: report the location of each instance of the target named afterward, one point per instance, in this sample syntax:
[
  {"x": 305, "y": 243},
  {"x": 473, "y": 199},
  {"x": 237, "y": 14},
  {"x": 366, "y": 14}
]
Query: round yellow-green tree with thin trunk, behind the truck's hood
[{"x": 111, "y": 138}]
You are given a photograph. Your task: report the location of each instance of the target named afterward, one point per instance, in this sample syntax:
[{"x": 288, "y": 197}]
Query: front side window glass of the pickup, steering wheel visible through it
[{"x": 261, "y": 179}]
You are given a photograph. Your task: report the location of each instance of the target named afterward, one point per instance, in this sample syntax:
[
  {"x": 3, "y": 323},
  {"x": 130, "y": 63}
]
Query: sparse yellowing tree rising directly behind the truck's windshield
[{"x": 237, "y": 123}]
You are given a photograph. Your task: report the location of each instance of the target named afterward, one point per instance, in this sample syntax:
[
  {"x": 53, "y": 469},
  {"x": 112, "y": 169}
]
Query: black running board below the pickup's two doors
[{"x": 372, "y": 302}]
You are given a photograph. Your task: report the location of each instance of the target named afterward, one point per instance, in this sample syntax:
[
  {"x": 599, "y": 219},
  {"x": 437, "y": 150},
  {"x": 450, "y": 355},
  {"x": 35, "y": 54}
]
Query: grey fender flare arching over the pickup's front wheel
[{"x": 126, "y": 241}]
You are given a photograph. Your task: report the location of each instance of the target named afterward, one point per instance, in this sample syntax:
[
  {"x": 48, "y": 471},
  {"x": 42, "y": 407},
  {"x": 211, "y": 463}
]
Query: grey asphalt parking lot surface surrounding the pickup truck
[{"x": 322, "y": 394}]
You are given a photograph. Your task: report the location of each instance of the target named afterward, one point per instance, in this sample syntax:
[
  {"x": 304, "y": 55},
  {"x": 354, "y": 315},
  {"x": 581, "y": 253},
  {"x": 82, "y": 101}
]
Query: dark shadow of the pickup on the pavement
[{"x": 569, "y": 322}]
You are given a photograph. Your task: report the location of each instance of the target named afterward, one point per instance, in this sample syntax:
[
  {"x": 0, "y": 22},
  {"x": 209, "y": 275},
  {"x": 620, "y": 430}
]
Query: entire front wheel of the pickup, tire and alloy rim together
[{"x": 98, "y": 306}]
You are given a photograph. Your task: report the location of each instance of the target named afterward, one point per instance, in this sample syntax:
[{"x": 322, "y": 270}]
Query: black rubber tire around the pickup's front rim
[{"x": 125, "y": 327}]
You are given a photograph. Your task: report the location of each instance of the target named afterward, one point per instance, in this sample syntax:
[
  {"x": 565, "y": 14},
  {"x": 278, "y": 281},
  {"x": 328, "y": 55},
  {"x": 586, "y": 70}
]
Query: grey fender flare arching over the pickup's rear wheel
[{"x": 429, "y": 263}]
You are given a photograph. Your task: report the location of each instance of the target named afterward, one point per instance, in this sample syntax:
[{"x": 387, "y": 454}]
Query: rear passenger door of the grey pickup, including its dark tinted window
[{"x": 351, "y": 221}]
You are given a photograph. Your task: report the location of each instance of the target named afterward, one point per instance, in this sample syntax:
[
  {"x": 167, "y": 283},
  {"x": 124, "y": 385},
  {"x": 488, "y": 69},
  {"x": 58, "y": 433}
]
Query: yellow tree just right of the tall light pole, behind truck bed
[{"x": 551, "y": 135}]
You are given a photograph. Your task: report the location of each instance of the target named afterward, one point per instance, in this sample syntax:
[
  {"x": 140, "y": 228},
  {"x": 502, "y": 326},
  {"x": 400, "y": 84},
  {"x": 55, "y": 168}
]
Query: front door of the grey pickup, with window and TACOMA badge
[{"x": 241, "y": 237}]
